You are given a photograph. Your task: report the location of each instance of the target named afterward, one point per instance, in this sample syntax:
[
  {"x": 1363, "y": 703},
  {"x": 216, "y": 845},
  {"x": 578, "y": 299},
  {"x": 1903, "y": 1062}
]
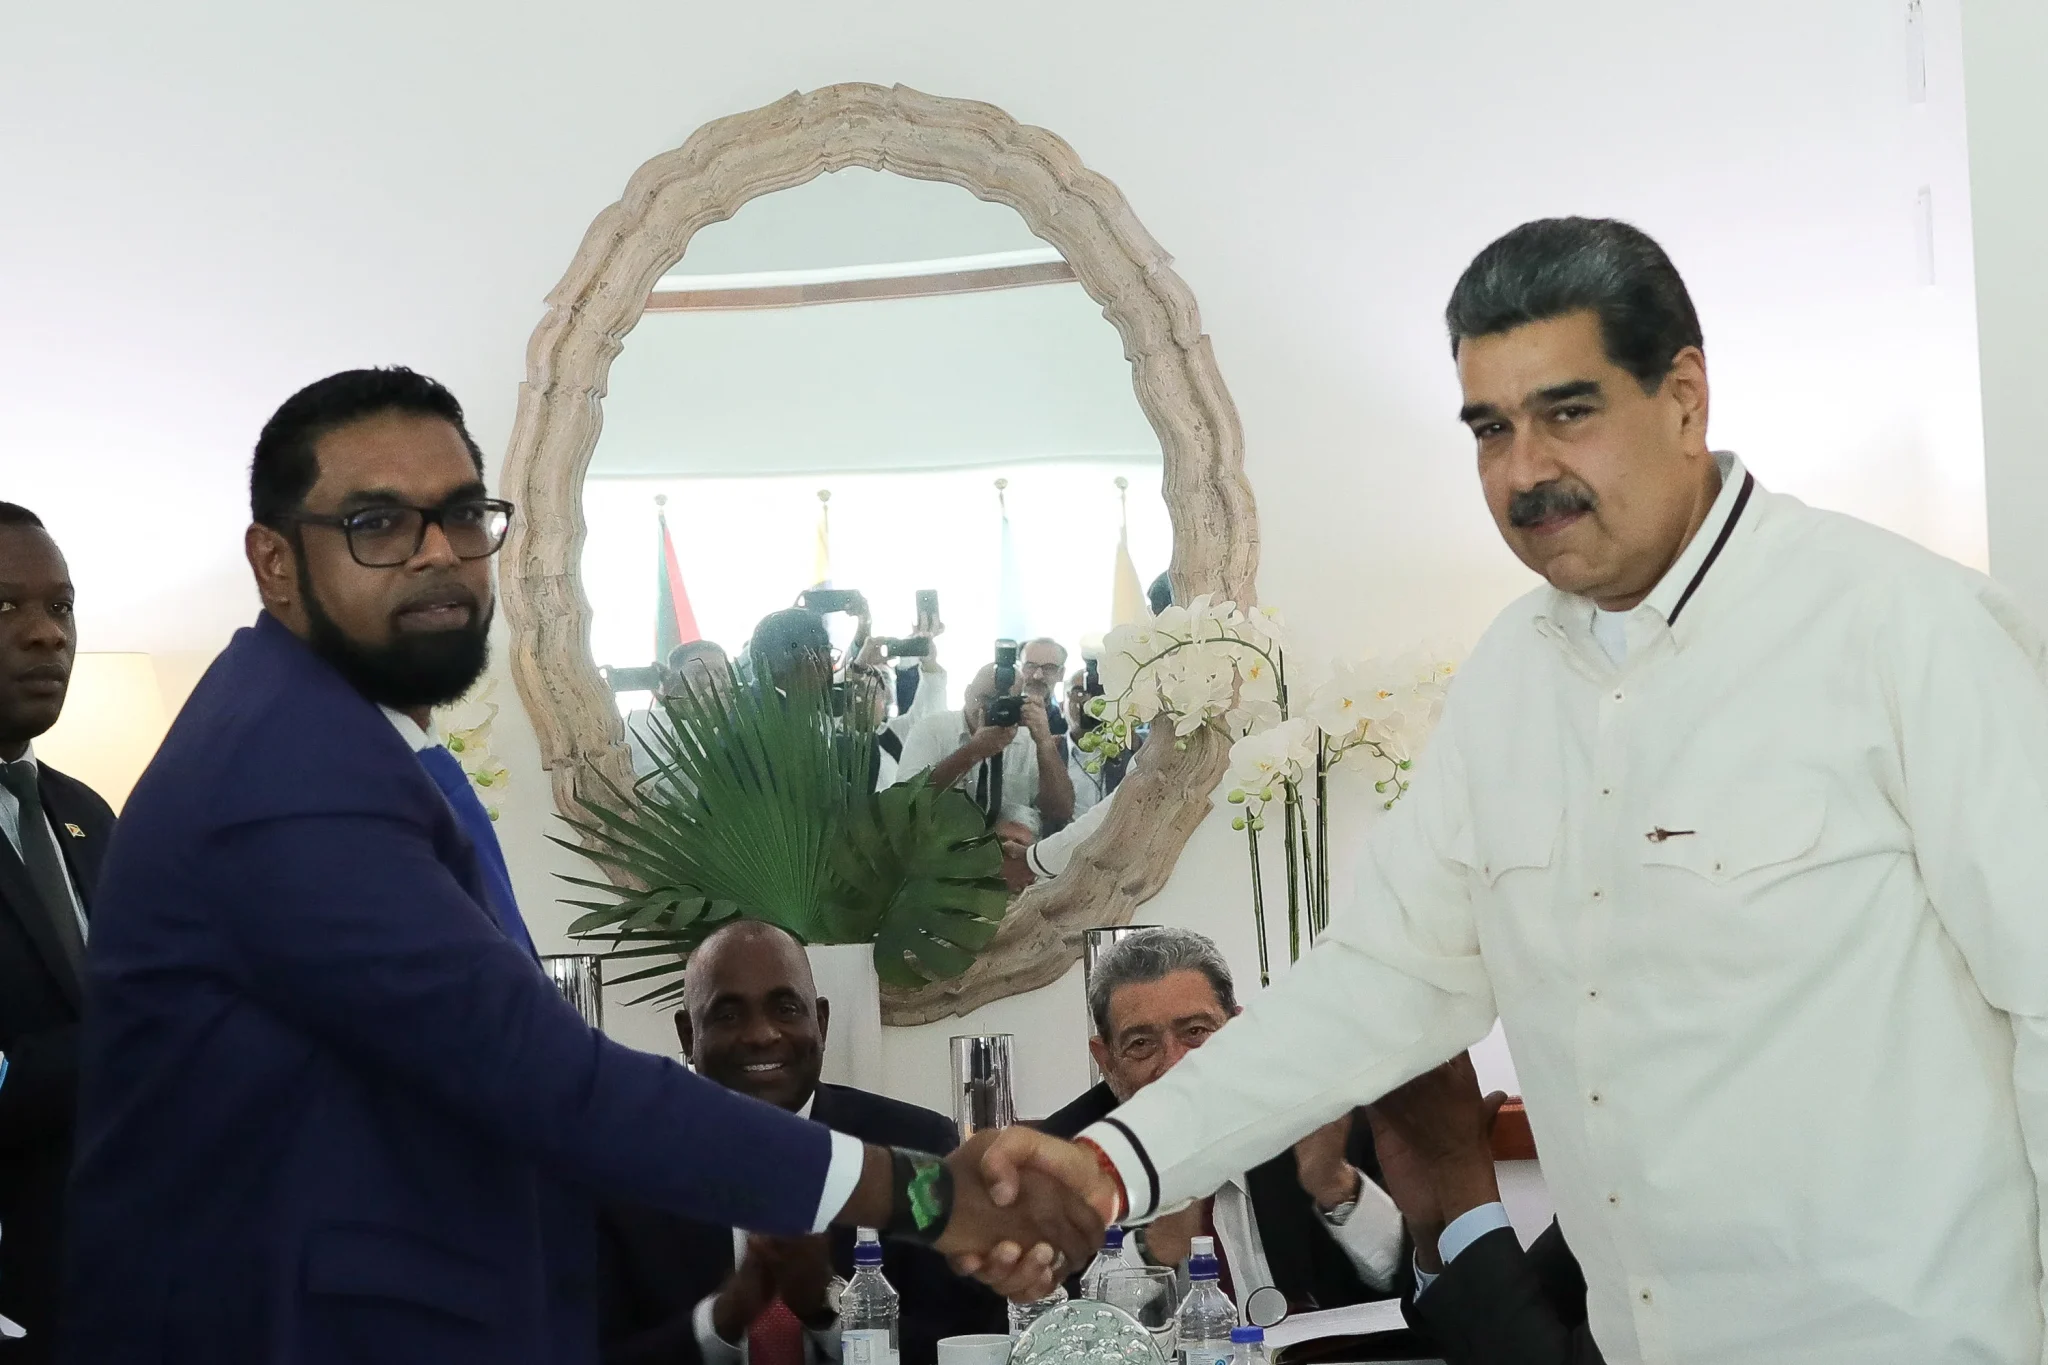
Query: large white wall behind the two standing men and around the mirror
[{"x": 208, "y": 210}]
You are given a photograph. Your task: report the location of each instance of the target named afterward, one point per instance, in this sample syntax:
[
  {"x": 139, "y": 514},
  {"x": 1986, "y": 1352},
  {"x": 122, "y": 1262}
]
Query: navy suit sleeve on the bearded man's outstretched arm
[{"x": 357, "y": 934}]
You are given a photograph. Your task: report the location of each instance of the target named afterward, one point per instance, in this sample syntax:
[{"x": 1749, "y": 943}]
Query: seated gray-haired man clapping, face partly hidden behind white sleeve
[{"x": 1312, "y": 1223}]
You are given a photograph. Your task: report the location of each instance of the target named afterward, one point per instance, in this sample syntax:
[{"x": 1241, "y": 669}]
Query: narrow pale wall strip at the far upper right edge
[{"x": 2004, "y": 44}]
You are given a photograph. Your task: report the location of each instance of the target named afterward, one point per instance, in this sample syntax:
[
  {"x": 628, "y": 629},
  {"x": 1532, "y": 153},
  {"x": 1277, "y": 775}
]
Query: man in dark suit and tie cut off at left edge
[{"x": 52, "y": 836}]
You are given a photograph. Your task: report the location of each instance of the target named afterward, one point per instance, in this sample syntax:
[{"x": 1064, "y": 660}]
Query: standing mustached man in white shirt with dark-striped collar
[{"x": 1738, "y": 826}]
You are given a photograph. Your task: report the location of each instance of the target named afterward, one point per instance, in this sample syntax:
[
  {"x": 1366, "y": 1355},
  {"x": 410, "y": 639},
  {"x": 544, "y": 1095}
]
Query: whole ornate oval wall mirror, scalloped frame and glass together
[{"x": 884, "y": 394}]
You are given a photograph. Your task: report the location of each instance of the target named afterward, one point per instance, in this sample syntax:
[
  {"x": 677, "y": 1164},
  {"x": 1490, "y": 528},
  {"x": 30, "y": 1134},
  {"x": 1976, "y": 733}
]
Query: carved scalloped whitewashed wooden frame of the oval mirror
[{"x": 986, "y": 152}]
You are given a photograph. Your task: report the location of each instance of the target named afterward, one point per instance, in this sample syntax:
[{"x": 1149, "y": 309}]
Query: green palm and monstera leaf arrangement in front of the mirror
[{"x": 761, "y": 807}]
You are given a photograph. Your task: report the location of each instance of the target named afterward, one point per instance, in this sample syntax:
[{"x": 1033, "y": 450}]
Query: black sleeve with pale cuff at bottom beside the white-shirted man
[{"x": 1498, "y": 1305}]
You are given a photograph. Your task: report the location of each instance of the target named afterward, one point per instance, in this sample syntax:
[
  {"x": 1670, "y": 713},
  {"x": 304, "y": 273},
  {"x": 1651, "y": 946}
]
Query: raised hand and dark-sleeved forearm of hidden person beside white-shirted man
[{"x": 1478, "y": 1294}]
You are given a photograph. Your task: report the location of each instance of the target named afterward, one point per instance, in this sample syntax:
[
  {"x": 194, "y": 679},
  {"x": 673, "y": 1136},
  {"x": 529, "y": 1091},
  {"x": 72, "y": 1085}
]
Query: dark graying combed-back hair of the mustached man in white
[{"x": 1555, "y": 267}]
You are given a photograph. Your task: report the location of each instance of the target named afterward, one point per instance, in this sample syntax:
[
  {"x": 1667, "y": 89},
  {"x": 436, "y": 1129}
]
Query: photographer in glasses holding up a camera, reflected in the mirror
[{"x": 1000, "y": 746}]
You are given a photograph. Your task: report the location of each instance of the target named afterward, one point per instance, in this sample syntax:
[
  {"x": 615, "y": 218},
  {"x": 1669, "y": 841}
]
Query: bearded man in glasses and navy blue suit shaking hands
[{"x": 331, "y": 1108}]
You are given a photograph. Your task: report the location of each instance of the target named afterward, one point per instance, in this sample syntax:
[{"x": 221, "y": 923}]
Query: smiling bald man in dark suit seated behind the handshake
[{"x": 691, "y": 1292}]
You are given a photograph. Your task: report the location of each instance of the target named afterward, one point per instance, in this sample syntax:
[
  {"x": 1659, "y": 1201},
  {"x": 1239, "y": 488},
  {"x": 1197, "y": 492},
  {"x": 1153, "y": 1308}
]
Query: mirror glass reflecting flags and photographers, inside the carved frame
[{"x": 873, "y": 431}]
